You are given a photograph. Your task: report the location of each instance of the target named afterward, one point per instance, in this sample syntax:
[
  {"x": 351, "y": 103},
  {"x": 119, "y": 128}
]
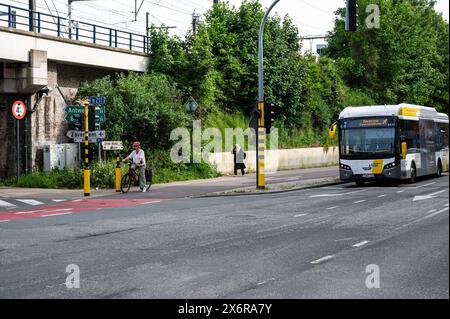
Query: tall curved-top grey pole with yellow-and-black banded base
[{"x": 261, "y": 131}]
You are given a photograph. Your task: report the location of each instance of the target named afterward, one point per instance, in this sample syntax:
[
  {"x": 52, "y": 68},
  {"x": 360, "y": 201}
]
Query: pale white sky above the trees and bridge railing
[{"x": 313, "y": 17}]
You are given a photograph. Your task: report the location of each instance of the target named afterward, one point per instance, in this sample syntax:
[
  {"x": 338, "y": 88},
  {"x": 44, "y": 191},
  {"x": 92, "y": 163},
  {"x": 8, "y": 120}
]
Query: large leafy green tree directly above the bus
[{"x": 405, "y": 60}]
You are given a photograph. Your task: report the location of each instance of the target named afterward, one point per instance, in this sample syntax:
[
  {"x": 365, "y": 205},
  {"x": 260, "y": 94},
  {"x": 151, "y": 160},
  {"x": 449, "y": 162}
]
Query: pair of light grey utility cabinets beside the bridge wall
[{"x": 60, "y": 156}]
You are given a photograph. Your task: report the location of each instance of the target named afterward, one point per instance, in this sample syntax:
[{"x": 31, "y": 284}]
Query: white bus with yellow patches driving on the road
[{"x": 399, "y": 142}]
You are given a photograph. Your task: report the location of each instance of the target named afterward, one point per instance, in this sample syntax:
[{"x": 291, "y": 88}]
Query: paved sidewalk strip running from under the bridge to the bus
[{"x": 180, "y": 189}]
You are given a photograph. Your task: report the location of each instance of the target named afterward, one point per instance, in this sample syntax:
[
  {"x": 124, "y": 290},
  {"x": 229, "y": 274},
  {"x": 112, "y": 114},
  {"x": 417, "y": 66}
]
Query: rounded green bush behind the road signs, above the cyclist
[{"x": 146, "y": 107}]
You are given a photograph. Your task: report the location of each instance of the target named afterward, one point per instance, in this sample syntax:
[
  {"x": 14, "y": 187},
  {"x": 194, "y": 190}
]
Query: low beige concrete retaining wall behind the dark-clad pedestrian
[{"x": 280, "y": 159}]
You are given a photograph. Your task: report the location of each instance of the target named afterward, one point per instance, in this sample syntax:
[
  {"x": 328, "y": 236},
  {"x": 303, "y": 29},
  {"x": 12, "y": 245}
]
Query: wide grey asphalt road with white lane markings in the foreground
[{"x": 315, "y": 243}]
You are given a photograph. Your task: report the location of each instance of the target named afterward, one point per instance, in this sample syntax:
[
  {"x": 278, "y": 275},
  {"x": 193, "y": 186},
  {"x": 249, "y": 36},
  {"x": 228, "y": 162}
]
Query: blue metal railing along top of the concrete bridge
[{"x": 35, "y": 21}]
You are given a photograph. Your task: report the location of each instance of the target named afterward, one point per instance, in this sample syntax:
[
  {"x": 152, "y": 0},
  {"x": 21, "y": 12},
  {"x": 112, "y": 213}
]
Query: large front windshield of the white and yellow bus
[{"x": 367, "y": 142}]
